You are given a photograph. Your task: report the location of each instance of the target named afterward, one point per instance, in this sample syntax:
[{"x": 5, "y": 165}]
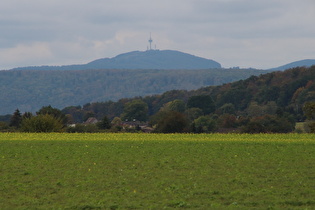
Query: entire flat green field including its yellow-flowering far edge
[{"x": 157, "y": 171}]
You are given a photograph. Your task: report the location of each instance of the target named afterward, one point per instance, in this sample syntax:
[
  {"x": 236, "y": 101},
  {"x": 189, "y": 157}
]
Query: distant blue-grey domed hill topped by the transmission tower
[{"x": 150, "y": 59}]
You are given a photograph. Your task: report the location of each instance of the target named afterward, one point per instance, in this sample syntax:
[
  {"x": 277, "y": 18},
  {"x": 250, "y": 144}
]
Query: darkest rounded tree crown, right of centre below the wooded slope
[{"x": 203, "y": 102}]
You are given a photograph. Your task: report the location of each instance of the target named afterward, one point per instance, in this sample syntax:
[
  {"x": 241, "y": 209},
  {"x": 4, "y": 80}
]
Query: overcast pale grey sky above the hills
[{"x": 245, "y": 33}]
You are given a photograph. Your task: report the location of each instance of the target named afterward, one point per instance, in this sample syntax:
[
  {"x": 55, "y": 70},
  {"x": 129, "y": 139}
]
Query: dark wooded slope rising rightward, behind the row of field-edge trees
[{"x": 271, "y": 93}]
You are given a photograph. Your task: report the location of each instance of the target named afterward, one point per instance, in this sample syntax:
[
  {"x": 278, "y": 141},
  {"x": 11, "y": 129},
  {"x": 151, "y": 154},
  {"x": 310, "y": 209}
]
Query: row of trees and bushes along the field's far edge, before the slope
[{"x": 198, "y": 115}]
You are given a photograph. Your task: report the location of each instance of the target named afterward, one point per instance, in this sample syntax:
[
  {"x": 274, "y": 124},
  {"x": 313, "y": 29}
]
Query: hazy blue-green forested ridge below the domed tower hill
[{"x": 29, "y": 90}]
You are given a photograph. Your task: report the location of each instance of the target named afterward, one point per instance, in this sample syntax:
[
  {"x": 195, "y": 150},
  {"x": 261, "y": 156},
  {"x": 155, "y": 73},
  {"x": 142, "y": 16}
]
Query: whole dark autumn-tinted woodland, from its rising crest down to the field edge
[{"x": 271, "y": 102}]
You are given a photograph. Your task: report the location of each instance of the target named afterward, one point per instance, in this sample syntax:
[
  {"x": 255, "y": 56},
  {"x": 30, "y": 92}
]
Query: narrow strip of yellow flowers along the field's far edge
[{"x": 309, "y": 138}]
